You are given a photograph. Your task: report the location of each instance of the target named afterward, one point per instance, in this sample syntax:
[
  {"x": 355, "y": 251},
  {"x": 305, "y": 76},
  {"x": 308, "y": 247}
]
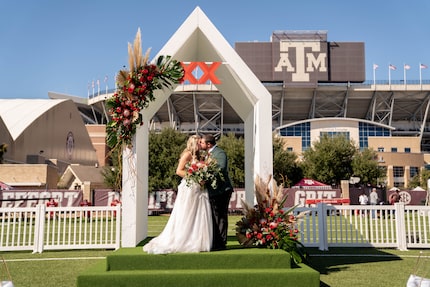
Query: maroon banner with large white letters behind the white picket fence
[{"x": 163, "y": 200}]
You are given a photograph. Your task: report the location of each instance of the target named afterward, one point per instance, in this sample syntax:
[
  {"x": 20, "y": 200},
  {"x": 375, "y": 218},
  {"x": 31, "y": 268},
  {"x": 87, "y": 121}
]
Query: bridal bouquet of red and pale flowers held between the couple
[{"x": 203, "y": 171}]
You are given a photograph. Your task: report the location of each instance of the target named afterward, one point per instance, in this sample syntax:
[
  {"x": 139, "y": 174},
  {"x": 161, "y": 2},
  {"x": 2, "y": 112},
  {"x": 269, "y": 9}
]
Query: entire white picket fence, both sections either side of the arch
[{"x": 323, "y": 226}]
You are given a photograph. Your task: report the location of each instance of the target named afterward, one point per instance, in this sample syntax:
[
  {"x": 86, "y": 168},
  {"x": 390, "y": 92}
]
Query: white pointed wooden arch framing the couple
[{"x": 198, "y": 40}]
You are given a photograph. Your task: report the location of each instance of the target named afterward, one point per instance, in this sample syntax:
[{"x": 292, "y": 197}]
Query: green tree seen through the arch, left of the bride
[{"x": 165, "y": 149}]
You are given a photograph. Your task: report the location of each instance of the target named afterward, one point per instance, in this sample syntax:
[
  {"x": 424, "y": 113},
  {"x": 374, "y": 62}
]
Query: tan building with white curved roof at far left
[{"x": 42, "y": 136}]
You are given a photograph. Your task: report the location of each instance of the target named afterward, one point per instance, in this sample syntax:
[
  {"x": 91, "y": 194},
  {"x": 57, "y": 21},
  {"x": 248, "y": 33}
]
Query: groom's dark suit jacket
[{"x": 223, "y": 186}]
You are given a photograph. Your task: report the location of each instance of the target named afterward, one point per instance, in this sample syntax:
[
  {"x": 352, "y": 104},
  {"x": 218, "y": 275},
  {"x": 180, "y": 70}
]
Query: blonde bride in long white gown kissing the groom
[{"x": 189, "y": 228}]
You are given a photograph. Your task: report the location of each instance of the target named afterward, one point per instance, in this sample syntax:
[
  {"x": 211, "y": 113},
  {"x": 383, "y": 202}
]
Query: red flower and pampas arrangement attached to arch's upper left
[{"x": 135, "y": 89}]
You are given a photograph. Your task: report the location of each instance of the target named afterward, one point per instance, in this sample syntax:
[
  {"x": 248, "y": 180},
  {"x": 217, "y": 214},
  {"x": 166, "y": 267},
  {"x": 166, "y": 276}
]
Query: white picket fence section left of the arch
[{"x": 46, "y": 228}]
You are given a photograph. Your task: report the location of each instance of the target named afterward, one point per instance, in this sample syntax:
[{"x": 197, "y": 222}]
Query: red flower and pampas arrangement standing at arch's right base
[{"x": 268, "y": 224}]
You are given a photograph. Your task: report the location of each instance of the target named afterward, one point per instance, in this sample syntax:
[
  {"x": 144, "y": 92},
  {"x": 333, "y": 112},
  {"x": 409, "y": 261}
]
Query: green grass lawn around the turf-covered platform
[{"x": 338, "y": 266}]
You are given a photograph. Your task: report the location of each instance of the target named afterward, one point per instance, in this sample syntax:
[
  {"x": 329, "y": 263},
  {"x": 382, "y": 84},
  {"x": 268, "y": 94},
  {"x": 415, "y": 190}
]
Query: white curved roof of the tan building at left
[{"x": 18, "y": 114}]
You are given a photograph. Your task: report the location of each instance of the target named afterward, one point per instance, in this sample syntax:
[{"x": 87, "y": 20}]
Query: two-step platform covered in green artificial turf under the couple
[{"x": 229, "y": 268}]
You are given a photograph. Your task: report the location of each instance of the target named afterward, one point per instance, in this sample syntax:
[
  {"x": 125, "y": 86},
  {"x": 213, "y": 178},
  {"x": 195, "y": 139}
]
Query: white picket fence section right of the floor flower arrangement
[{"x": 399, "y": 226}]
